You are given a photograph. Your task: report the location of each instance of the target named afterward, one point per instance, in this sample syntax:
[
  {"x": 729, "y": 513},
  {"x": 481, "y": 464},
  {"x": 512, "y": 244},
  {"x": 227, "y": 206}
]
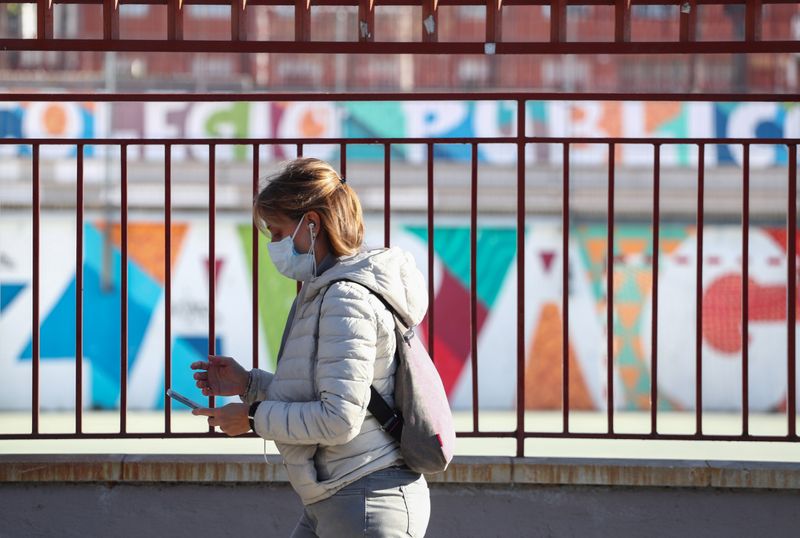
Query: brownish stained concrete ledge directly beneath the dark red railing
[{"x": 464, "y": 470}]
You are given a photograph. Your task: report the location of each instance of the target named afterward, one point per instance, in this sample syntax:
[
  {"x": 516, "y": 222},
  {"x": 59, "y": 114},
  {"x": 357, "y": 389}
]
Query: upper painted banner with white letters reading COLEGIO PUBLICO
[{"x": 410, "y": 119}]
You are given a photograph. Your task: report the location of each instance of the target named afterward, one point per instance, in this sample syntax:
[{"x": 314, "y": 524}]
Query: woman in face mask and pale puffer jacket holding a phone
[{"x": 339, "y": 340}]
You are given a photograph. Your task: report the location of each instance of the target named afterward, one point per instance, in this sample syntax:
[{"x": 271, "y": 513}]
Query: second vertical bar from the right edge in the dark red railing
[{"x": 746, "y": 291}]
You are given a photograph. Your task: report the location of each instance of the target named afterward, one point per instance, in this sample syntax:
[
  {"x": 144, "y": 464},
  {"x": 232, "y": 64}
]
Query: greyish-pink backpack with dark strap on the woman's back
[{"x": 422, "y": 423}]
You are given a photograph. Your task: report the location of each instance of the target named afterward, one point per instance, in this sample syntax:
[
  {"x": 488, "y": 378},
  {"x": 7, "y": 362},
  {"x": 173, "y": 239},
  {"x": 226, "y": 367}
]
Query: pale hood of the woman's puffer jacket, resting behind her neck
[{"x": 391, "y": 273}]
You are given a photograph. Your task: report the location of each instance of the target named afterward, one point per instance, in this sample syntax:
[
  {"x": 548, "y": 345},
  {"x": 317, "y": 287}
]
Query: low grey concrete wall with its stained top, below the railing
[{"x": 100, "y": 505}]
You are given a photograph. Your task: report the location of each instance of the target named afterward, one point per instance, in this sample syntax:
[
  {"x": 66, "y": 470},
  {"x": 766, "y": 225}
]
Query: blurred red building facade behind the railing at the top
[{"x": 293, "y": 72}]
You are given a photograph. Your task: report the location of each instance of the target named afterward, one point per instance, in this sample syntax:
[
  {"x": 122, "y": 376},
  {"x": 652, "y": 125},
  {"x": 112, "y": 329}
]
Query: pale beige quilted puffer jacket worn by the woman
[{"x": 315, "y": 405}]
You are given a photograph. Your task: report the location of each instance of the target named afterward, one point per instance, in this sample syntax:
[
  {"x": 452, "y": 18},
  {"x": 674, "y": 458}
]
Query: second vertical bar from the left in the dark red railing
[{"x": 79, "y": 293}]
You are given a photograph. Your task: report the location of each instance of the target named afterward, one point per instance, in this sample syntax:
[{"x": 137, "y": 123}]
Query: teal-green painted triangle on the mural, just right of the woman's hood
[{"x": 496, "y": 250}]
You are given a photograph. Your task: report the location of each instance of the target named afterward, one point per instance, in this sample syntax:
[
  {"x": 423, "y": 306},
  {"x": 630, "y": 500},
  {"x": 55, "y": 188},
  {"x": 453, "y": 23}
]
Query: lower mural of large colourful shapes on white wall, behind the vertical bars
[{"x": 496, "y": 309}]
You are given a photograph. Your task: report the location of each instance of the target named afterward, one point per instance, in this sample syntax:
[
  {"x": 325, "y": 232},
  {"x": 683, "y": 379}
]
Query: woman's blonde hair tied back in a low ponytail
[{"x": 310, "y": 184}]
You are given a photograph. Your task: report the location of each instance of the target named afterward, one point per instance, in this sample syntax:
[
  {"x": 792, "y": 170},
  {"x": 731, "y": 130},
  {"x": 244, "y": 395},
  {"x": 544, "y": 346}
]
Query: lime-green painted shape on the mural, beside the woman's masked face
[{"x": 275, "y": 292}]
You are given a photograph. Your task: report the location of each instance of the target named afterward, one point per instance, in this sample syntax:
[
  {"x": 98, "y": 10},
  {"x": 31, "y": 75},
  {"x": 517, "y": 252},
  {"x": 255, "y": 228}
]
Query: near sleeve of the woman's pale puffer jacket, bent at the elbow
[{"x": 343, "y": 371}]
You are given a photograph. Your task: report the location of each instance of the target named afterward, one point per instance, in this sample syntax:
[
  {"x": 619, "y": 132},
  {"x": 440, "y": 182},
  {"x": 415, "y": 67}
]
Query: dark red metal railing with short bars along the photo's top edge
[{"x": 428, "y": 19}]
